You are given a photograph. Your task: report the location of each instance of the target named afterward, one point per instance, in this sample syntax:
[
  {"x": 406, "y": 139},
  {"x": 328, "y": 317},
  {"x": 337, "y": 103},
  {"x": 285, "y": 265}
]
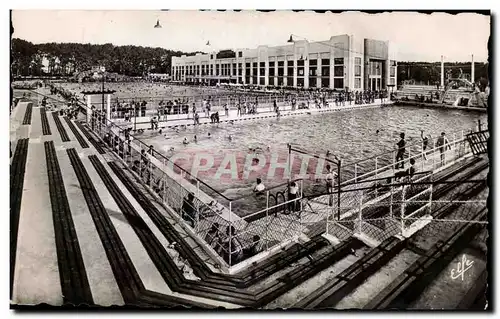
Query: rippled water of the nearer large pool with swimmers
[{"x": 351, "y": 135}]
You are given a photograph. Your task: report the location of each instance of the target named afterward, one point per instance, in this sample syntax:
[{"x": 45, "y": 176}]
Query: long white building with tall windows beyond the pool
[{"x": 342, "y": 62}]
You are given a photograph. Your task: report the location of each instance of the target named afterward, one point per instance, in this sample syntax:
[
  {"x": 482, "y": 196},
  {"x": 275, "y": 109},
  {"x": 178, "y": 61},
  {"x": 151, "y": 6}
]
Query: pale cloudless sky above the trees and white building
[{"x": 417, "y": 37}]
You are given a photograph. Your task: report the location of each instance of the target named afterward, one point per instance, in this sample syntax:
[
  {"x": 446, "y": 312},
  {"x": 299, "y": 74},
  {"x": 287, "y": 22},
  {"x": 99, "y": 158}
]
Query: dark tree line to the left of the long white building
[{"x": 67, "y": 58}]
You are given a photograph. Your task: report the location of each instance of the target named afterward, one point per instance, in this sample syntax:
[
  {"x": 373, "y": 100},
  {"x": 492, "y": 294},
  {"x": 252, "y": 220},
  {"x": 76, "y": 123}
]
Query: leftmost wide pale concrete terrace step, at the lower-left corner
[{"x": 36, "y": 276}]
